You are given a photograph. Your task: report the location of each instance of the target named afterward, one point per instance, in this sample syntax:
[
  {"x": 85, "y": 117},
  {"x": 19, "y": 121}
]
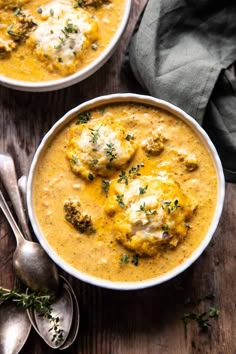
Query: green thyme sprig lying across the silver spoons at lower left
[{"x": 42, "y": 304}]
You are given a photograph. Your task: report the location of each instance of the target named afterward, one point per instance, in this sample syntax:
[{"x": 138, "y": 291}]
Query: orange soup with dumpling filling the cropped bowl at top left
[{"x": 44, "y": 40}]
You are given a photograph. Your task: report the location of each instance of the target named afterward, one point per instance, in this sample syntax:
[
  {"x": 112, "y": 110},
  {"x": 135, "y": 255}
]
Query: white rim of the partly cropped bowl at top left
[{"x": 51, "y": 85}]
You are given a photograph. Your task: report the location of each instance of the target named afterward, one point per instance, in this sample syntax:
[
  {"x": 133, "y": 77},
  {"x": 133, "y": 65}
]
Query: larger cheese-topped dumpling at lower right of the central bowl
[{"x": 149, "y": 212}]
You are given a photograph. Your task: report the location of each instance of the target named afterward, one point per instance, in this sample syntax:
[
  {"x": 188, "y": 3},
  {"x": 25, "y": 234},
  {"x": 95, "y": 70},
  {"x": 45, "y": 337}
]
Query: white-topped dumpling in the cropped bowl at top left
[{"x": 62, "y": 37}]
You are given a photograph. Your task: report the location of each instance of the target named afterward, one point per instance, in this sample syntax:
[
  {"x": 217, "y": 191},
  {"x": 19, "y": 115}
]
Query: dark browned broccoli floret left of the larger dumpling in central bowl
[{"x": 82, "y": 222}]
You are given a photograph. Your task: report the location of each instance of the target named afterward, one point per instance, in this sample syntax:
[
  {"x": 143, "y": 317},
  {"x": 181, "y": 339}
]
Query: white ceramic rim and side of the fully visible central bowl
[{"x": 156, "y": 103}]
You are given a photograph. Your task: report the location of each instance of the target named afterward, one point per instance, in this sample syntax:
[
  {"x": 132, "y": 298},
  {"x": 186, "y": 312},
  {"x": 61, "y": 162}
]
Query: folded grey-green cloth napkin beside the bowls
[{"x": 180, "y": 52}]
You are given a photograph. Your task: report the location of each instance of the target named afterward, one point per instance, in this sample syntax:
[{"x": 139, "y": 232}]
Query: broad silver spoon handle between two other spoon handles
[{"x": 9, "y": 180}]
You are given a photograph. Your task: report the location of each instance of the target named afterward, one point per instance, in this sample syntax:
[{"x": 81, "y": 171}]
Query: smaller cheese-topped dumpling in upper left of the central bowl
[{"x": 99, "y": 147}]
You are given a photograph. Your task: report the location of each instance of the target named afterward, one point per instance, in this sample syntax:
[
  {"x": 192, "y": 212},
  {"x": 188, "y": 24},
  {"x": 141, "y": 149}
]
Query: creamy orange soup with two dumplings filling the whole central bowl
[{"x": 125, "y": 192}]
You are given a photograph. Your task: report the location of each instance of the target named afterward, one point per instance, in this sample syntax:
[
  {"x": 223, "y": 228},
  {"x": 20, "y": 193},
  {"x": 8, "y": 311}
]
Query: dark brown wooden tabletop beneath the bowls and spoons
[{"x": 137, "y": 322}]
